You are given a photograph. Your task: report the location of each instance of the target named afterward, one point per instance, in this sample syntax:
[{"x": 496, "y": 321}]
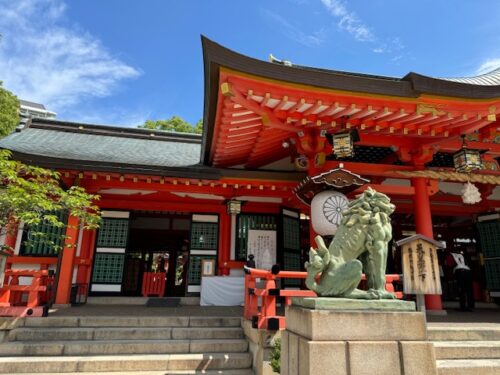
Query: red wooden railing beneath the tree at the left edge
[{"x": 11, "y": 294}]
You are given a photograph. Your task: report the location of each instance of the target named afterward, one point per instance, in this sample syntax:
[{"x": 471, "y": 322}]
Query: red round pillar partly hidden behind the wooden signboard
[{"x": 423, "y": 225}]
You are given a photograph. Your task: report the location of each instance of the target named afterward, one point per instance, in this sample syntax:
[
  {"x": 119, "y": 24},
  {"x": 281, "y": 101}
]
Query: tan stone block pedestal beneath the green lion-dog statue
[{"x": 355, "y": 338}]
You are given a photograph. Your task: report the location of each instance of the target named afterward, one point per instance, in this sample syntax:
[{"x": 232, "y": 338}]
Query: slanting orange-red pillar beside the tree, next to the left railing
[{"x": 68, "y": 257}]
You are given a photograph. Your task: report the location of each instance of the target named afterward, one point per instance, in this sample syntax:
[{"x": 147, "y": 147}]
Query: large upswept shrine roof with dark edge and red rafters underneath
[{"x": 254, "y": 110}]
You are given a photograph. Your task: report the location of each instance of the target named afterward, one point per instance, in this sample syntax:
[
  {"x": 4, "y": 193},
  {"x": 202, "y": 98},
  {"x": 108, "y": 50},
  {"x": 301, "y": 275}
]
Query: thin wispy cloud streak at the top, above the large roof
[{"x": 349, "y": 21}]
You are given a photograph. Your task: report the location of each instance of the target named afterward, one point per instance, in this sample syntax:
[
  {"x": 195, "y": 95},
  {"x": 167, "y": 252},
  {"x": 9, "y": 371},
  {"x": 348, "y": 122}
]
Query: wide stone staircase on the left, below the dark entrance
[{"x": 126, "y": 345}]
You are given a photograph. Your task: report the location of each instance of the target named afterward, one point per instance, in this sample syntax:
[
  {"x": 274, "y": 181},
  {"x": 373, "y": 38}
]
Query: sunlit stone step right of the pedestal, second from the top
[{"x": 467, "y": 349}]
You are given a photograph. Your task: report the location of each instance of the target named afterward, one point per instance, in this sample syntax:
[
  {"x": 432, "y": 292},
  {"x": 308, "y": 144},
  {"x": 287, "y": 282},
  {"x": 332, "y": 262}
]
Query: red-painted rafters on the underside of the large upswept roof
[{"x": 255, "y": 117}]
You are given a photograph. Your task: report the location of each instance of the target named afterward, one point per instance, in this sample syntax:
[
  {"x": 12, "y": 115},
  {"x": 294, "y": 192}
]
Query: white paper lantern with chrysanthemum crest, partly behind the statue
[{"x": 326, "y": 211}]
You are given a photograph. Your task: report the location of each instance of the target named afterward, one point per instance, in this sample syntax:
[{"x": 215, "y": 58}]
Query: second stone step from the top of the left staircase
[{"x": 118, "y": 333}]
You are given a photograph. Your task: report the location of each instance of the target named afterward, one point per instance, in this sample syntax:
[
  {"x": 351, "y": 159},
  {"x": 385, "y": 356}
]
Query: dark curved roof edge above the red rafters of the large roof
[{"x": 411, "y": 85}]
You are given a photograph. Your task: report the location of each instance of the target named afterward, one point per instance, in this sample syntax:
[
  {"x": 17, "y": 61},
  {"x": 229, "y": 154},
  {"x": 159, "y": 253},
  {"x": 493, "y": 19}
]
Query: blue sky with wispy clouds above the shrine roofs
[{"x": 122, "y": 62}]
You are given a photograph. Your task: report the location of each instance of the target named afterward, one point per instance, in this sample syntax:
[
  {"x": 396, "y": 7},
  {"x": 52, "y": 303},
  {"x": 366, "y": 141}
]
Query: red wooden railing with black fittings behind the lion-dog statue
[{"x": 267, "y": 317}]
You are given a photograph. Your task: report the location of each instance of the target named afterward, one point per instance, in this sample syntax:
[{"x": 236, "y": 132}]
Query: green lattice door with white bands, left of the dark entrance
[{"x": 109, "y": 257}]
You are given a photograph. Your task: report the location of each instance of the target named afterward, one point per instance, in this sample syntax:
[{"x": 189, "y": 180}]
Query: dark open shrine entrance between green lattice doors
[{"x": 157, "y": 243}]
